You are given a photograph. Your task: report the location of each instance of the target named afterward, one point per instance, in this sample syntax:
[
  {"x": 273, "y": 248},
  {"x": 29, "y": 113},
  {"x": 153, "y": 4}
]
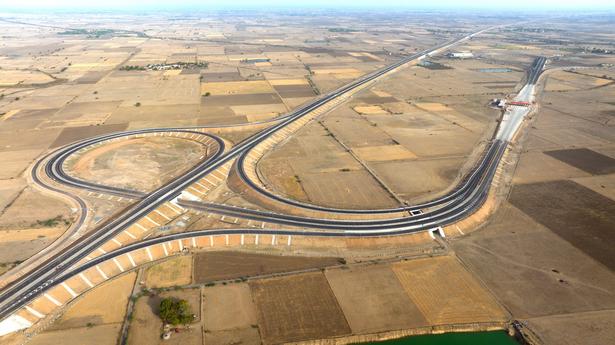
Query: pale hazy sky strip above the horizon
[{"x": 151, "y": 4}]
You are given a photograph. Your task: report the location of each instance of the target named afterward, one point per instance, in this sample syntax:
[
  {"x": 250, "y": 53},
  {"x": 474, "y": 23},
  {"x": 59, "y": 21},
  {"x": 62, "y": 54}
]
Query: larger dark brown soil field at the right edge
[{"x": 577, "y": 214}]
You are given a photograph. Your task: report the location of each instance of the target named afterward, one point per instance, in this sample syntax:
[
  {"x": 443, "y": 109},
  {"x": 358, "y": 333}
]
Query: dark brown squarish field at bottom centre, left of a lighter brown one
[{"x": 296, "y": 308}]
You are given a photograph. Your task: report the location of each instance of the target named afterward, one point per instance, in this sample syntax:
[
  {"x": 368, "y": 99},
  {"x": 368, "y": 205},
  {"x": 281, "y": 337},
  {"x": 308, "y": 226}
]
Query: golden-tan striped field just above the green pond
[{"x": 445, "y": 292}]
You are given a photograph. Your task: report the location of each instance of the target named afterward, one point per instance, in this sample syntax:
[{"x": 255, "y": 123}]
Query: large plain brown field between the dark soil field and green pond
[{"x": 533, "y": 271}]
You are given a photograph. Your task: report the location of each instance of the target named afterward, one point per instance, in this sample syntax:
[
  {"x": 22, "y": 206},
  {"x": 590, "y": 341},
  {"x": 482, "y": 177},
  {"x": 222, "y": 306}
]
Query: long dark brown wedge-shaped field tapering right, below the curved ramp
[{"x": 212, "y": 266}]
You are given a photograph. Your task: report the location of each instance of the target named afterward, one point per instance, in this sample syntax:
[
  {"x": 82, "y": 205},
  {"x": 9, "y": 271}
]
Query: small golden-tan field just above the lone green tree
[{"x": 174, "y": 272}]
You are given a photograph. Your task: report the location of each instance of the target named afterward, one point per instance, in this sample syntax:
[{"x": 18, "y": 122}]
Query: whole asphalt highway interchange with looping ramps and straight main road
[{"x": 456, "y": 205}]
